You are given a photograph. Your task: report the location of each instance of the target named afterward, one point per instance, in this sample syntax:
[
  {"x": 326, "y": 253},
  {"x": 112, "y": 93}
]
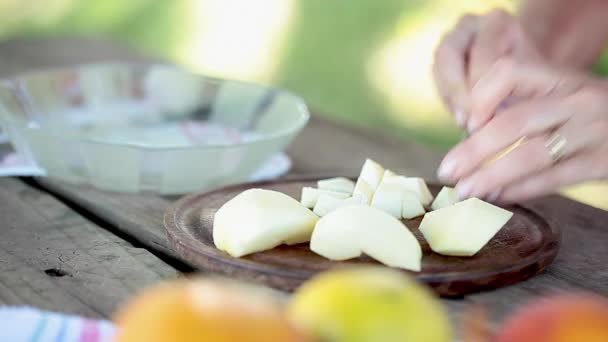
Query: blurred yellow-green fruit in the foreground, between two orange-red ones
[{"x": 368, "y": 304}]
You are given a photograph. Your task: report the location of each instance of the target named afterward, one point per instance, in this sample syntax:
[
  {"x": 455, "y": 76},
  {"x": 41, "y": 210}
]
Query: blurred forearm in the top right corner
[{"x": 570, "y": 33}]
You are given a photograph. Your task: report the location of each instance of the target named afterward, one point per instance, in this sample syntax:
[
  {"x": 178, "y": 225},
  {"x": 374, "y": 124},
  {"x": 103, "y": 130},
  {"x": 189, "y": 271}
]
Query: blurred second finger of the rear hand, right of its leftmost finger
[{"x": 493, "y": 41}]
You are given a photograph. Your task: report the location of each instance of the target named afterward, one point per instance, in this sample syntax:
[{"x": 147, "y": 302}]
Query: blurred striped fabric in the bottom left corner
[{"x": 24, "y": 324}]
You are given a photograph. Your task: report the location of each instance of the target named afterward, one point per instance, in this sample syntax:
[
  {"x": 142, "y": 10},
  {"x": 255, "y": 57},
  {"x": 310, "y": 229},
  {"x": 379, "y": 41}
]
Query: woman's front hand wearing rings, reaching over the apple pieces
[{"x": 565, "y": 116}]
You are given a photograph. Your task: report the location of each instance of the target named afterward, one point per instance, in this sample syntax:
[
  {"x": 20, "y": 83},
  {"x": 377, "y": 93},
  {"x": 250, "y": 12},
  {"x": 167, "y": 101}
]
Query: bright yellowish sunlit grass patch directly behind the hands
[{"x": 401, "y": 69}]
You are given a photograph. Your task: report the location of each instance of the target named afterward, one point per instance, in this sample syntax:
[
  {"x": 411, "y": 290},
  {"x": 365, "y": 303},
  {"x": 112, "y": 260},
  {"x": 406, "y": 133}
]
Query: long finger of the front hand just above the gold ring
[{"x": 529, "y": 119}]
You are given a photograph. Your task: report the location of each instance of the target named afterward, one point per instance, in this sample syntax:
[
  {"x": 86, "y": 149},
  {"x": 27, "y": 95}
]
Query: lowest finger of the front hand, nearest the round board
[{"x": 578, "y": 169}]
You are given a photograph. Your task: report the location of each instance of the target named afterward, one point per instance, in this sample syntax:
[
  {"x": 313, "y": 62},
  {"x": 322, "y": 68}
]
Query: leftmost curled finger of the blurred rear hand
[{"x": 449, "y": 69}]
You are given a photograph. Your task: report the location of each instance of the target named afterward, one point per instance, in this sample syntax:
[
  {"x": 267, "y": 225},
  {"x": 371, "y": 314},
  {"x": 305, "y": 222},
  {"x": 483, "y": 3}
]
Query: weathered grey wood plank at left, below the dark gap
[{"x": 53, "y": 258}]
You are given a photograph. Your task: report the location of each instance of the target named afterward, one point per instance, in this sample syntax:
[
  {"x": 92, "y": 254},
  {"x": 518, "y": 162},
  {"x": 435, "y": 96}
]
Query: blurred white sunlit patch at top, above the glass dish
[{"x": 235, "y": 38}]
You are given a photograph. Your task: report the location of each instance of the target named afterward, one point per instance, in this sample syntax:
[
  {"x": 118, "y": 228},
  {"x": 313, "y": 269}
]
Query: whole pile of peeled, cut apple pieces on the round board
[{"x": 350, "y": 219}]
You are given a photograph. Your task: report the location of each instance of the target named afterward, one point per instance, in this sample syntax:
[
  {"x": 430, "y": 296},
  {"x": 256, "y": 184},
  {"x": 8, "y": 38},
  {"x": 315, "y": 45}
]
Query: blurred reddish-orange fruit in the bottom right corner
[{"x": 577, "y": 317}]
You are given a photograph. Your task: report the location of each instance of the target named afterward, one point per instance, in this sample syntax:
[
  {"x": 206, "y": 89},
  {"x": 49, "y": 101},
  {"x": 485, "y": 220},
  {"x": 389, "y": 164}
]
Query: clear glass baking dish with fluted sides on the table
[{"x": 138, "y": 127}]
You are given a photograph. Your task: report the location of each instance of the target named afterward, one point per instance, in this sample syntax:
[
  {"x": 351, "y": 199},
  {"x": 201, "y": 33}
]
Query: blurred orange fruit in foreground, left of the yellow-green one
[{"x": 205, "y": 310}]
